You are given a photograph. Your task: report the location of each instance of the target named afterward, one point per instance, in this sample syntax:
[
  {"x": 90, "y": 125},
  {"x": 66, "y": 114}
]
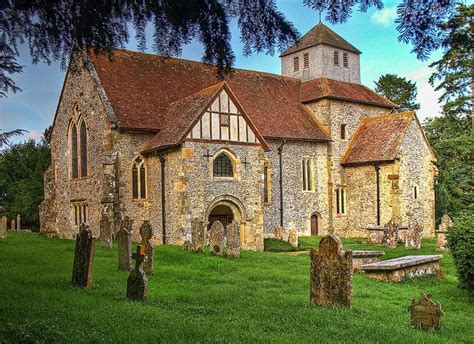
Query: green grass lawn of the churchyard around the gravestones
[{"x": 262, "y": 297}]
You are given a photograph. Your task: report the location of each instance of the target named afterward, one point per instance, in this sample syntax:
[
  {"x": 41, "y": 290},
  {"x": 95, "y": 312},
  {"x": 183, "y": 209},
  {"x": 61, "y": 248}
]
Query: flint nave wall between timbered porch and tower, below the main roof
[{"x": 298, "y": 205}]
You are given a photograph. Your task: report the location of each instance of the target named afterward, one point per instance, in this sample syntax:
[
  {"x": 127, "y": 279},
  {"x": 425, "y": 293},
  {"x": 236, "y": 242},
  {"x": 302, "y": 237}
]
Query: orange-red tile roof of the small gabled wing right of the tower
[{"x": 377, "y": 139}]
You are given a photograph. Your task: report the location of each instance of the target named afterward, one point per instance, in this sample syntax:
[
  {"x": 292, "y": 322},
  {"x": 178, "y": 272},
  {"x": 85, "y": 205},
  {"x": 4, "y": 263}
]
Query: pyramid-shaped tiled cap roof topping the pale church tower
[{"x": 320, "y": 34}]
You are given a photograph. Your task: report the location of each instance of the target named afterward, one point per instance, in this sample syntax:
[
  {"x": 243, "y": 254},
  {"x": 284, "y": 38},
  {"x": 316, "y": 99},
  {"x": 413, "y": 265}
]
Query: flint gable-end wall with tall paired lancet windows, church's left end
[{"x": 61, "y": 191}]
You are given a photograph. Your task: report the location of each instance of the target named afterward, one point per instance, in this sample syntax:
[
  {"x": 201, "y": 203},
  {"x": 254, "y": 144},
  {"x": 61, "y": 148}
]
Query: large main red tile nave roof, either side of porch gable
[{"x": 141, "y": 87}]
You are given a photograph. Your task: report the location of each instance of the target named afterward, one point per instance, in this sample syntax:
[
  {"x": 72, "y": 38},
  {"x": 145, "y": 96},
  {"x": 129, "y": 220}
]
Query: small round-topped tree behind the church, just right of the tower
[{"x": 399, "y": 90}]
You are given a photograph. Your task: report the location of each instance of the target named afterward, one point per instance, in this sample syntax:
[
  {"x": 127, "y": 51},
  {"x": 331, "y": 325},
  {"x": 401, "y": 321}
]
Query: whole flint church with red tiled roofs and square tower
[{"x": 165, "y": 140}]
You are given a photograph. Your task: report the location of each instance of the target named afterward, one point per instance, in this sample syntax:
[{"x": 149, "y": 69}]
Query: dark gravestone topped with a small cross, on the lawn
[{"x": 137, "y": 283}]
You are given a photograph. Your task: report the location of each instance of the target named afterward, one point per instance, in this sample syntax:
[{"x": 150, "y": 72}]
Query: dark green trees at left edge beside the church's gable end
[{"x": 21, "y": 180}]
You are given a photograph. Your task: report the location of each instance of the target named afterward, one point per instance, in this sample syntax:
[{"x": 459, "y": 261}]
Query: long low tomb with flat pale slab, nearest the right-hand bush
[{"x": 396, "y": 270}]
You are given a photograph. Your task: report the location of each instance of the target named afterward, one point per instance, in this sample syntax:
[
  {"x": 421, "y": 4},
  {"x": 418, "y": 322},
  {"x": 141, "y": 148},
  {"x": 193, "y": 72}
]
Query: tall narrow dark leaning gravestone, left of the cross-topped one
[{"x": 83, "y": 258}]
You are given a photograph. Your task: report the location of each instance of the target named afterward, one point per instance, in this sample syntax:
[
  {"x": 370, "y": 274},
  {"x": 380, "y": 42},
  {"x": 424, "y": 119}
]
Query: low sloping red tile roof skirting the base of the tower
[{"x": 340, "y": 90}]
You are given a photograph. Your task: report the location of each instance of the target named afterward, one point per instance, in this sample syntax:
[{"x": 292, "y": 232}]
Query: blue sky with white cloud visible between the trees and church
[{"x": 374, "y": 33}]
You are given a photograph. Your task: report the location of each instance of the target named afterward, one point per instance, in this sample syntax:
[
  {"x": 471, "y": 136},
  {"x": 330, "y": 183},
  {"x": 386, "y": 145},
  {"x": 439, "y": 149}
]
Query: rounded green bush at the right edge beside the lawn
[{"x": 461, "y": 244}]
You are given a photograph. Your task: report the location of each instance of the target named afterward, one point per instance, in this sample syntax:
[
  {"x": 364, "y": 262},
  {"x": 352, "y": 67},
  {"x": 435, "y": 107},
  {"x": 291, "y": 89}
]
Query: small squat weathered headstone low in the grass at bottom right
[{"x": 425, "y": 313}]
